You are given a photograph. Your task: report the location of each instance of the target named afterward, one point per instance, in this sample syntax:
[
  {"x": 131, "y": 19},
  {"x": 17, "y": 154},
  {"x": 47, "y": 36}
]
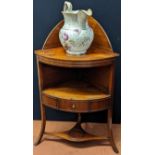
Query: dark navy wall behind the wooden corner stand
[{"x": 47, "y": 15}]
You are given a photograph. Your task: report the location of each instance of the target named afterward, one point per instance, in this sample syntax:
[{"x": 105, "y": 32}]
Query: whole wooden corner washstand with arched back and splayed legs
[{"x": 78, "y": 84}]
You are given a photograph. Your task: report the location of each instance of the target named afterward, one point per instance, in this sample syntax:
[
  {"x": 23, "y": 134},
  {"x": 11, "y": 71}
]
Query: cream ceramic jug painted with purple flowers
[{"x": 76, "y": 35}]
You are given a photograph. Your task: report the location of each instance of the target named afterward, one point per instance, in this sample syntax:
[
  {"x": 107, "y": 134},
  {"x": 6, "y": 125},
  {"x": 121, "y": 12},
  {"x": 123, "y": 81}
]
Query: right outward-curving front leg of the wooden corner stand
[{"x": 110, "y": 134}]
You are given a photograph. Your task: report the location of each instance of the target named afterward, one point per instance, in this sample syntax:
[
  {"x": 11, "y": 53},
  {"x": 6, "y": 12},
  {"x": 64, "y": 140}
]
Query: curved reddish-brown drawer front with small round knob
[{"x": 76, "y": 106}]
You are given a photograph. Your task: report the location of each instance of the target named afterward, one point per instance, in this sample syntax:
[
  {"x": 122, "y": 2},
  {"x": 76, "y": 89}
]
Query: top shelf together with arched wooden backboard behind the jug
[{"x": 100, "y": 52}]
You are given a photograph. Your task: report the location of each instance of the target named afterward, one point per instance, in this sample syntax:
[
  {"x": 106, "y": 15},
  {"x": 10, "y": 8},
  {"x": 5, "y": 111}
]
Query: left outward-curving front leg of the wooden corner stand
[{"x": 43, "y": 124}]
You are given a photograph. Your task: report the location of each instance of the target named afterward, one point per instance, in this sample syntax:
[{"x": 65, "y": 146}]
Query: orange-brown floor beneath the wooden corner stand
[{"x": 55, "y": 146}]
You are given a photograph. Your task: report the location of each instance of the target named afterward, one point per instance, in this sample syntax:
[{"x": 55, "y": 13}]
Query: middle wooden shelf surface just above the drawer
[{"x": 75, "y": 90}]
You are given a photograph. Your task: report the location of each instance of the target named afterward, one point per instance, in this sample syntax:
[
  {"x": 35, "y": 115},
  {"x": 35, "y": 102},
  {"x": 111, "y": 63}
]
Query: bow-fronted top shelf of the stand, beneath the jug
[{"x": 58, "y": 57}]
